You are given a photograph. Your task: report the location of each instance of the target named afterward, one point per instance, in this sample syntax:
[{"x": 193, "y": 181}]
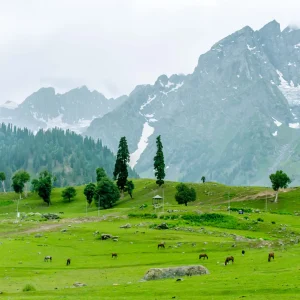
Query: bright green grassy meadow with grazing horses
[{"x": 25, "y": 242}]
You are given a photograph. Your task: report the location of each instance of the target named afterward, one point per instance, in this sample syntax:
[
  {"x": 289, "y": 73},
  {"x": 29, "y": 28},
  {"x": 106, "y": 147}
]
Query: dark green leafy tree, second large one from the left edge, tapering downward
[{"x": 43, "y": 186}]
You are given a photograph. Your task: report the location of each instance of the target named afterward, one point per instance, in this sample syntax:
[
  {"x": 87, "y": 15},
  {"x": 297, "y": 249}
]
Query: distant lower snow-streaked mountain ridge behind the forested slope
[{"x": 73, "y": 110}]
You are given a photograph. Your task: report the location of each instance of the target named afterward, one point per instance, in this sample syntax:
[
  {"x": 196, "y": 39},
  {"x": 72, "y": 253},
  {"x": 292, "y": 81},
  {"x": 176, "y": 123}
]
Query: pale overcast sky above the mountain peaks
[{"x": 114, "y": 45}]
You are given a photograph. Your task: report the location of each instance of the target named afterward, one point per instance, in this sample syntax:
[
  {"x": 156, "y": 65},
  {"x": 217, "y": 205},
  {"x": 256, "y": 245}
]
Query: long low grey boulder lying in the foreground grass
[{"x": 161, "y": 273}]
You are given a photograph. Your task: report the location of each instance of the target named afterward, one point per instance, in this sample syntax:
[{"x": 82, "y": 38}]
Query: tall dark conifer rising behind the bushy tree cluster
[{"x": 123, "y": 158}]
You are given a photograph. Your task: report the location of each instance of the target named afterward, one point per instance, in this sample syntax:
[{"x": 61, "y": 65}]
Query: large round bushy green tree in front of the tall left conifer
[{"x": 106, "y": 193}]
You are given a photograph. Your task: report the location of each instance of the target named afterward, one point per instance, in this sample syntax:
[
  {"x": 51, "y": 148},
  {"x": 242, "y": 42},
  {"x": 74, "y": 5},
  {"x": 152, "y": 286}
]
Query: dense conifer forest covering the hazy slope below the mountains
[{"x": 70, "y": 157}]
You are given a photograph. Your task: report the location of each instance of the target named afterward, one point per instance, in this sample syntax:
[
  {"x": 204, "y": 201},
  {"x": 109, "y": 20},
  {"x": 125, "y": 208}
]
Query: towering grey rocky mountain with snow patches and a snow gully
[{"x": 235, "y": 119}]
